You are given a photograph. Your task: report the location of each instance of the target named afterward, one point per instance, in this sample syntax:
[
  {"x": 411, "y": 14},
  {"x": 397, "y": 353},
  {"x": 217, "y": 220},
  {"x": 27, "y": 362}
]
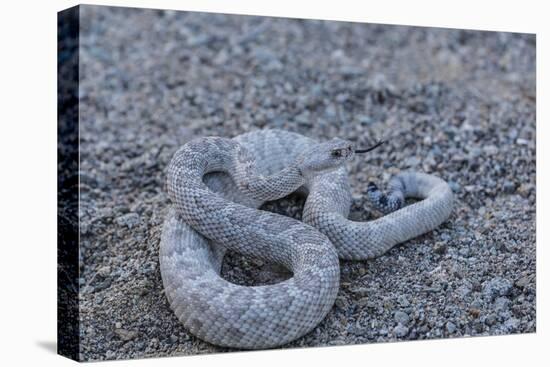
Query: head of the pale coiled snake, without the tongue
[{"x": 325, "y": 157}]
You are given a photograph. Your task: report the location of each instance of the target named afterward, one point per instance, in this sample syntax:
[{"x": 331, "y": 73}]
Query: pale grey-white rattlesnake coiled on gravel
[{"x": 216, "y": 186}]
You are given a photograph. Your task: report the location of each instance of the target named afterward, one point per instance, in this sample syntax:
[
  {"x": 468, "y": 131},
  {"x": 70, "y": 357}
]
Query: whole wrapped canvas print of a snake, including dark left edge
[{"x": 231, "y": 182}]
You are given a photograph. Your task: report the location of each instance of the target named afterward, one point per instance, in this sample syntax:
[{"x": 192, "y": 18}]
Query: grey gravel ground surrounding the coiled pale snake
[{"x": 458, "y": 104}]
